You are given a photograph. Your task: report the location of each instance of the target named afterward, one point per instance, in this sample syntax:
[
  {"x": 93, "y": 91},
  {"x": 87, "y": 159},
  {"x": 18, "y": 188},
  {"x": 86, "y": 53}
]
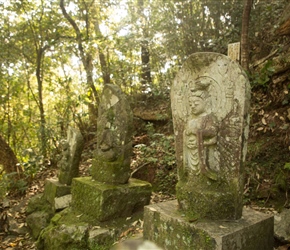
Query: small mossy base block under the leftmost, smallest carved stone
[{"x": 53, "y": 189}]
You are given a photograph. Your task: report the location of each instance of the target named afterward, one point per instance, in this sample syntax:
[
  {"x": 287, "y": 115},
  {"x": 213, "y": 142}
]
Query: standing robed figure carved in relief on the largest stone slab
[{"x": 200, "y": 134}]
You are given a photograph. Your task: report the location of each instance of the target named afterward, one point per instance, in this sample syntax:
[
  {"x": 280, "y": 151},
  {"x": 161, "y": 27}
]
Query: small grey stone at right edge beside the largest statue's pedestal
[{"x": 282, "y": 225}]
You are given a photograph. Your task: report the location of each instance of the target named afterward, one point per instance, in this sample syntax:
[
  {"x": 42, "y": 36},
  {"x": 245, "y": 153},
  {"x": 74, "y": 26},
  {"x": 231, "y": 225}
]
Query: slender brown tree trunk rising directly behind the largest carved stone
[{"x": 245, "y": 34}]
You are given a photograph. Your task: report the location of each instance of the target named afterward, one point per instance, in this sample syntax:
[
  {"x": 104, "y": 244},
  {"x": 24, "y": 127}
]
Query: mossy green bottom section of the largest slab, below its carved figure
[{"x": 213, "y": 200}]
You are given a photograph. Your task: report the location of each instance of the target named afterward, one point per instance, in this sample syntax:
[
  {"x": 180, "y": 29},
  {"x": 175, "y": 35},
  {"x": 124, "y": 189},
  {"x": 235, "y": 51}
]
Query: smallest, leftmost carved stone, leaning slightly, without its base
[{"x": 71, "y": 156}]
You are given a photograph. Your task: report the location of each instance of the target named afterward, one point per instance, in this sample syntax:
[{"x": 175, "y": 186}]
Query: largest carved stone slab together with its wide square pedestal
[{"x": 210, "y": 99}]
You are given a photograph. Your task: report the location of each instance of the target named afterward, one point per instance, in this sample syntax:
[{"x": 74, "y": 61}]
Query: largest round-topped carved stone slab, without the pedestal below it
[{"x": 210, "y": 99}]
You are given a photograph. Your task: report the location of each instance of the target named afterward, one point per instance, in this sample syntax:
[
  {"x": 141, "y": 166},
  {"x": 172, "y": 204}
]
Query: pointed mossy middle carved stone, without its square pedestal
[{"x": 111, "y": 163}]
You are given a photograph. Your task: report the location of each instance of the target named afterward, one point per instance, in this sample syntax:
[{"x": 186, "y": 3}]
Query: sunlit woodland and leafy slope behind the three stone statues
[{"x": 57, "y": 55}]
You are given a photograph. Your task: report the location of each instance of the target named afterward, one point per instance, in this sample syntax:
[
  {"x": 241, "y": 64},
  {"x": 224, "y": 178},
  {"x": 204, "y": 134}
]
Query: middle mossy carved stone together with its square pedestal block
[{"x": 110, "y": 193}]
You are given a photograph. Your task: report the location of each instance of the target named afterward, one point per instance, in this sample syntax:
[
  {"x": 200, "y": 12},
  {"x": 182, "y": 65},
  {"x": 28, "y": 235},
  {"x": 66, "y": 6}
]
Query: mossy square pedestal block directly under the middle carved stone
[{"x": 105, "y": 202}]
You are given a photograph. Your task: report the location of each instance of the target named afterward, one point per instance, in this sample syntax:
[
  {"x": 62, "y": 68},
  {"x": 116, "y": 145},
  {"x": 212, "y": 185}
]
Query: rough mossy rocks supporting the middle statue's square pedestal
[{"x": 74, "y": 230}]
